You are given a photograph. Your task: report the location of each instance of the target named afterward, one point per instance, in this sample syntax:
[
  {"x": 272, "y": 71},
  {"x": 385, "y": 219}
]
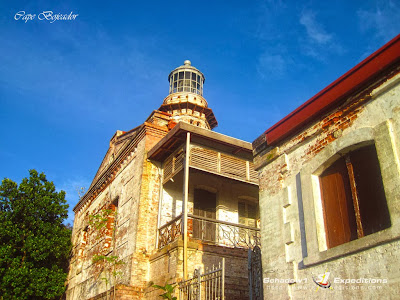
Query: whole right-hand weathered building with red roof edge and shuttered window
[{"x": 330, "y": 189}]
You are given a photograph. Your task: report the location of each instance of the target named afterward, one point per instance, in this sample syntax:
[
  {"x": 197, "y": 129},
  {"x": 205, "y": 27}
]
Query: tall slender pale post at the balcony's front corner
[{"x": 185, "y": 205}]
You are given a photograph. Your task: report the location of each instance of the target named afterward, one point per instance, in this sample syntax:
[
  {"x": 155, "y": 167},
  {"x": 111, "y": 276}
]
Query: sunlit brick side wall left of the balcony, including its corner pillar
[{"x": 135, "y": 183}]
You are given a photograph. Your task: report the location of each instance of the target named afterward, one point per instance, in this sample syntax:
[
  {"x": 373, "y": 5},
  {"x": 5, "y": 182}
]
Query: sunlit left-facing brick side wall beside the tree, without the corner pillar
[{"x": 83, "y": 276}]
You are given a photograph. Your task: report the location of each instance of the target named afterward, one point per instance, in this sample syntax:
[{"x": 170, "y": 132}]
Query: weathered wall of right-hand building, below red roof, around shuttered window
[{"x": 291, "y": 225}]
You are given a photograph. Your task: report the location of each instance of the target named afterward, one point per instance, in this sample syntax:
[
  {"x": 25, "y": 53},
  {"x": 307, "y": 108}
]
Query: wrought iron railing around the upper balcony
[{"x": 212, "y": 231}]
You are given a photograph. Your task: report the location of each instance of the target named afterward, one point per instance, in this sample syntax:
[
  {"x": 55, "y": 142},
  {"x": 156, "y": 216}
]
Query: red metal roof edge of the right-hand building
[{"x": 358, "y": 76}]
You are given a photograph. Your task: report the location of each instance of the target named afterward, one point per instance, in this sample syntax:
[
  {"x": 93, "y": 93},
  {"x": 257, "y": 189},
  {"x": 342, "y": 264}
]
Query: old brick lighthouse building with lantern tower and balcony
[{"x": 170, "y": 196}]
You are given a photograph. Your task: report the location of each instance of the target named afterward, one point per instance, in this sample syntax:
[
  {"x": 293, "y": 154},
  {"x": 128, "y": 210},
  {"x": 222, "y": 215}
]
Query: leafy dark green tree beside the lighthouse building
[{"x": 34, "y": 242}]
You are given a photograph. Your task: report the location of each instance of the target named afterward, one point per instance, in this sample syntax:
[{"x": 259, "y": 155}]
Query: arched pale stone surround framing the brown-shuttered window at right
[{"x": 308, "y": 191}]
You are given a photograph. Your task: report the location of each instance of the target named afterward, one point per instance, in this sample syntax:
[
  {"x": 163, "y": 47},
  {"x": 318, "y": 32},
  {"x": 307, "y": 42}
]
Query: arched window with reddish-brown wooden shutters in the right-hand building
[{"x": 353, "y": 199}]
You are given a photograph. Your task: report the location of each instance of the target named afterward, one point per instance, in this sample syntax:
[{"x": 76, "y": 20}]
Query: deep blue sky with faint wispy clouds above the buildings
[{"x": 67, "y": 86}]
